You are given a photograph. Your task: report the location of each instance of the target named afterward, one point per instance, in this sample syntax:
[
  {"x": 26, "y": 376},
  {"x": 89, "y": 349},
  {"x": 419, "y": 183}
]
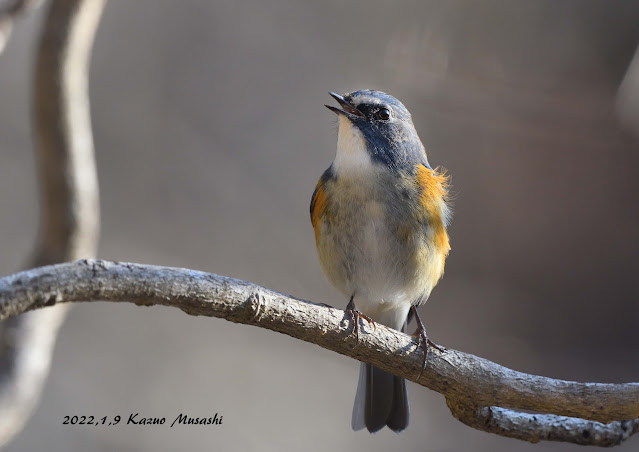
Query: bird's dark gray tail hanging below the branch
[{"x": 381, "y": 399}]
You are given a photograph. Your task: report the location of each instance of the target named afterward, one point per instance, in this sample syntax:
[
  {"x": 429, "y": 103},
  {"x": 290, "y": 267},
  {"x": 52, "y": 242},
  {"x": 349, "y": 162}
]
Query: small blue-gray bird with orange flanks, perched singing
[{"x": 380, "y": 213}]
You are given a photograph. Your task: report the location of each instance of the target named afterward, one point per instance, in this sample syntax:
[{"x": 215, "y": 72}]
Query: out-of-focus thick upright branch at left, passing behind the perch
[{"x": 69, "y": 214}]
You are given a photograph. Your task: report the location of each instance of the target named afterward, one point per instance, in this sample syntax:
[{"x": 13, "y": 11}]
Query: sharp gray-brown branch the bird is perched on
[{"x": 480, "y": 393}]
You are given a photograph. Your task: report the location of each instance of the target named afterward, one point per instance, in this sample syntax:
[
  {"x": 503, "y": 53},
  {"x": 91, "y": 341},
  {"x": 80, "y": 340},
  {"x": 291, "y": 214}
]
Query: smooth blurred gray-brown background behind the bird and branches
[{"x": 210, "y": 135}]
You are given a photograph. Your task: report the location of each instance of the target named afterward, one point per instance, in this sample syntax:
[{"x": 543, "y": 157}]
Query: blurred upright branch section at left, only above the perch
[{"x": 70, "y": 214}]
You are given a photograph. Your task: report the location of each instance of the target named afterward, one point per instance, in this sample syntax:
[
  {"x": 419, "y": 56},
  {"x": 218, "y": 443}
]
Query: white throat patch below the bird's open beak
[{"x": 352, "y": 156}]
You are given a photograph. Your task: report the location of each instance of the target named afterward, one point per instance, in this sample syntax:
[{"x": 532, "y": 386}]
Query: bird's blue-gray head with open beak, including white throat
[{"x": 376, "y": 127}]
